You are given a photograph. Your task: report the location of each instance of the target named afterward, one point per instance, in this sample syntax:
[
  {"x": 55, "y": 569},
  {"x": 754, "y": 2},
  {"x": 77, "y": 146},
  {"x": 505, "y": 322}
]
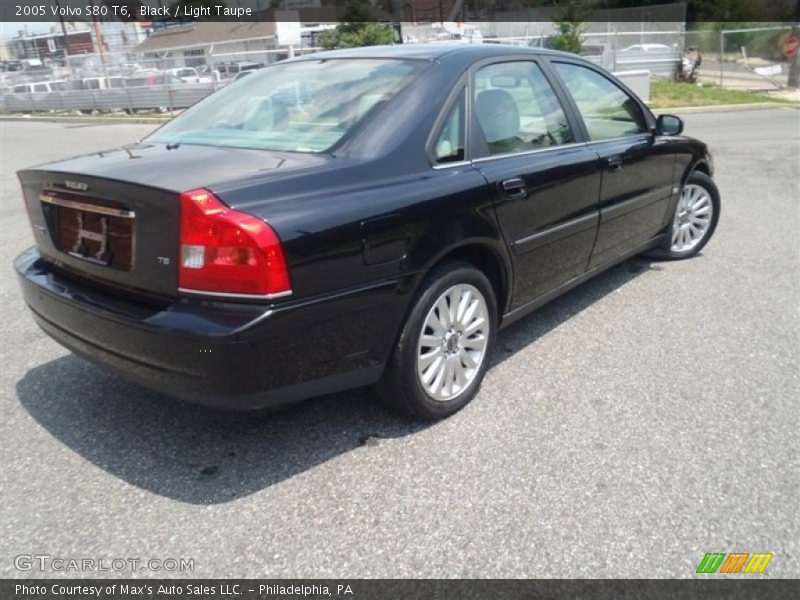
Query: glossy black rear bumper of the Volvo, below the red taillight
[{"x": 225, "y": 355}]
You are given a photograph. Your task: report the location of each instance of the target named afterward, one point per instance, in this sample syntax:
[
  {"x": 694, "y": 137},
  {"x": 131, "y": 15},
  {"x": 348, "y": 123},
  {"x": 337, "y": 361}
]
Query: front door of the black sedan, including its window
[{"x": 637, "y": 167}]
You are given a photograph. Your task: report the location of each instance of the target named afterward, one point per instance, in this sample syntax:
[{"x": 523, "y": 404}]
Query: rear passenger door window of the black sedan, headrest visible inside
[{"x": 517, "y": 108}]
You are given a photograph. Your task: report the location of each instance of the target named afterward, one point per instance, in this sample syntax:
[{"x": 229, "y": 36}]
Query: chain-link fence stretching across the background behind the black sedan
[{"x": 173, "y": 80}]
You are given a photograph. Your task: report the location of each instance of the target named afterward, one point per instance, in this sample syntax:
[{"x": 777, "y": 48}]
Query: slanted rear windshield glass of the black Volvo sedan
[{"x": 304, "y": 106}]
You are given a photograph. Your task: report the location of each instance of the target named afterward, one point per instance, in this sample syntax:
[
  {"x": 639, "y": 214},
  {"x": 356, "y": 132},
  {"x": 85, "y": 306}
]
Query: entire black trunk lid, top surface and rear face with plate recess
[{"x": 114, "y": 217}]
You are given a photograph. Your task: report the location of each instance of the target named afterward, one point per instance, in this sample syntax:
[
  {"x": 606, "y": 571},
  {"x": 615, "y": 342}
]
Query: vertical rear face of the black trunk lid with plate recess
[{"x": 109, "y": 231}]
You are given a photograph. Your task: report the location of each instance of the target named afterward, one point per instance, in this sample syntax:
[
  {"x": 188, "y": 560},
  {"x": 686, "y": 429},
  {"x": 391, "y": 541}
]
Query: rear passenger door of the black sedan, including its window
[{"x": 545, "y": 181}]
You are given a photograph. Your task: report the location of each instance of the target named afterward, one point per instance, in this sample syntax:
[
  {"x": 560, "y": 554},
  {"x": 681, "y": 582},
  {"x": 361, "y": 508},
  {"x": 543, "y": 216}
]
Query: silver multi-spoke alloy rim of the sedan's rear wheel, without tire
[{"x": 452, "y": 343}]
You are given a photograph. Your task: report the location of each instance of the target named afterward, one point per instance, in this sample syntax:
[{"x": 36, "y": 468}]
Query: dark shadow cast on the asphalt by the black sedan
[{"x": 203, "y": 456}]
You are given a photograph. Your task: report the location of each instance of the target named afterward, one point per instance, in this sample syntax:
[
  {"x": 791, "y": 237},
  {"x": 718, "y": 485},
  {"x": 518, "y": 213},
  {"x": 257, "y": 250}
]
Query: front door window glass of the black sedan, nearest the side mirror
[{"x": 608, "y": 111}]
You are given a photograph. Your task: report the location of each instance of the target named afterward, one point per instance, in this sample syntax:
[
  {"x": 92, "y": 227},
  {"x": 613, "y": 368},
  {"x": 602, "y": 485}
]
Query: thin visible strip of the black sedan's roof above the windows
[{"x": 432, "y": 51}]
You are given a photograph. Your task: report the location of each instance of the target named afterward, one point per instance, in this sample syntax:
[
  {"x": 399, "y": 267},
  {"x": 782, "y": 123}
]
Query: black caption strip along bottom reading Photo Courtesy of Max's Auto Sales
[{"x": 753, "y": 588}]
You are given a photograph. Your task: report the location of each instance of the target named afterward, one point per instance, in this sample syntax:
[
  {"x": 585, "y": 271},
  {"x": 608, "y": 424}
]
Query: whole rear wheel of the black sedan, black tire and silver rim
[{"x": 445, "y": 346}]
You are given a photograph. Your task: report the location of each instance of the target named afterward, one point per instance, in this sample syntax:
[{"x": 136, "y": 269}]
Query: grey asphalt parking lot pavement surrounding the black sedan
[{"x": 647, "y": 417}]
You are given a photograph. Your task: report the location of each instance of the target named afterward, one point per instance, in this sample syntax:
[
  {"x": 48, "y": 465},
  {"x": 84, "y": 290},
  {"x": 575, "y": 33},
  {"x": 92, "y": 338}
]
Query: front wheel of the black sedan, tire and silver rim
[{"x": 695, "y": 218}]
